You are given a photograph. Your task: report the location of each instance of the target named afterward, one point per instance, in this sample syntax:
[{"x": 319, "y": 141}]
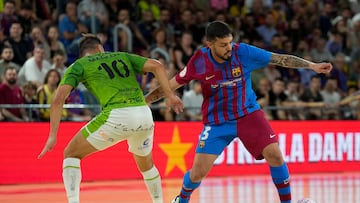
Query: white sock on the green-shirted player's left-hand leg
[{"x": 72, "y": 178}]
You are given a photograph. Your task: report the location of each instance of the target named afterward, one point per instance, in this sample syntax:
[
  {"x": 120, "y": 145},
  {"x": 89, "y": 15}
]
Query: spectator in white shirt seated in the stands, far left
[{"x": 35, "y": 68}]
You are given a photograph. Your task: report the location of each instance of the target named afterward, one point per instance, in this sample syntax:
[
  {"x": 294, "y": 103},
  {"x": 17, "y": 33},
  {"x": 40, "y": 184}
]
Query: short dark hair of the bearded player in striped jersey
[{"x": 217, "y": 29}]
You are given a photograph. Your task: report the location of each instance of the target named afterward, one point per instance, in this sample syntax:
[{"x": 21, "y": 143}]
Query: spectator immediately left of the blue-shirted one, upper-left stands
[{"x": 54, "y": 41}]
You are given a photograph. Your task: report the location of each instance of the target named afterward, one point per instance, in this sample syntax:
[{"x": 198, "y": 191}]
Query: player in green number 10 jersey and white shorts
[{"x": 111, "y": 77}]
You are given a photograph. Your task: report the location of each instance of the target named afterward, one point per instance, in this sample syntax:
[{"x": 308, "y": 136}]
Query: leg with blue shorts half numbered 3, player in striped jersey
[{"x": 211, "y": 143}]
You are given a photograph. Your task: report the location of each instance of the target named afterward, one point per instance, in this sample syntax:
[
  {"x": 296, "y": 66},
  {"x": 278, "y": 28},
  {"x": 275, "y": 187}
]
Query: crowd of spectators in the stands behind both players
[{"x": 39, "y": 39}]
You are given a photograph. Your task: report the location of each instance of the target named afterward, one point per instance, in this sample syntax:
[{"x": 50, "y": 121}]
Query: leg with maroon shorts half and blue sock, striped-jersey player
[{"x": 263, "y": 143}]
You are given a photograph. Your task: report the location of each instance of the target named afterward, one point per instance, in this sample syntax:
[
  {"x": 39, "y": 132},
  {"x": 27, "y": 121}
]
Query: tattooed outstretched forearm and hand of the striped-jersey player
[{"x": 291, "y": 61}]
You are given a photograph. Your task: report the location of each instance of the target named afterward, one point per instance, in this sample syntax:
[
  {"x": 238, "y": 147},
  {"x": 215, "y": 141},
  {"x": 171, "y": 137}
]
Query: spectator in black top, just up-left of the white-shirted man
[{"x": 22, "y": 48}]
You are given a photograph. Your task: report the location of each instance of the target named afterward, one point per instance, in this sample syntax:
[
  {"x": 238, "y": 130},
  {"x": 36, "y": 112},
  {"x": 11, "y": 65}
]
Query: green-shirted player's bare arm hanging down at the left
[{"x": 62, "y": 93}]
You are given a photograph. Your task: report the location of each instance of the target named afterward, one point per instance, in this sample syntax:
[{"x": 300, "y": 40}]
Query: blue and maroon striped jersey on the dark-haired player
[{"x": 226, "y": 87}]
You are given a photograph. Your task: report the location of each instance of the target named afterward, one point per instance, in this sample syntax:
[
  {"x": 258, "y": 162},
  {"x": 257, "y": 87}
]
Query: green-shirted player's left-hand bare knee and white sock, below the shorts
[{"x": 77, "y": 149}]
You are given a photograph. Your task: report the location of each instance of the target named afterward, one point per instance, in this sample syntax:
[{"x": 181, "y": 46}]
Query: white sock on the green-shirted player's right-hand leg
[{"x": 152, "y": 181}]
